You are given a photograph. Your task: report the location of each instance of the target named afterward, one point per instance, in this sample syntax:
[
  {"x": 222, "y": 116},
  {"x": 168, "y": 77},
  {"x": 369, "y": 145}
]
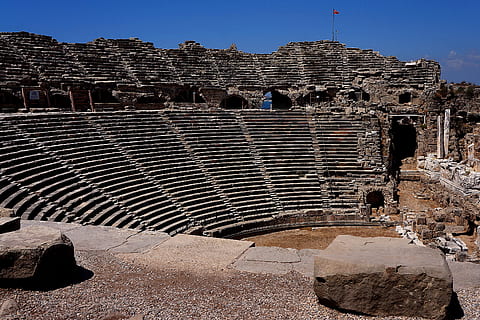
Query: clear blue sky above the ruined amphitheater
[{"x": 446, "y": 31}]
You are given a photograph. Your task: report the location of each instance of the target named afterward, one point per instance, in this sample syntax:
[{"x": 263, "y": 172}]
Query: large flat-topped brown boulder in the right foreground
[{"x": 383, "y": 276}]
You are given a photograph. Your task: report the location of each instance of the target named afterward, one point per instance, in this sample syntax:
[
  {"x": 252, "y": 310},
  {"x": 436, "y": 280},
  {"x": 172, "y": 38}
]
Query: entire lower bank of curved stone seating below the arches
[{"x": 218, "y": 172}]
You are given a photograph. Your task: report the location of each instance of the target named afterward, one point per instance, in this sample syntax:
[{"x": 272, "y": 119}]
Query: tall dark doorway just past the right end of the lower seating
[{"x": 403, "y": 141}]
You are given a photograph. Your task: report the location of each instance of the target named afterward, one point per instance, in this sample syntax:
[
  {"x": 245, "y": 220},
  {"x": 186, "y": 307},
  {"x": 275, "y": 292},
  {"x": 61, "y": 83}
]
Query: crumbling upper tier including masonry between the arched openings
[{"x": 131, "y": 68}]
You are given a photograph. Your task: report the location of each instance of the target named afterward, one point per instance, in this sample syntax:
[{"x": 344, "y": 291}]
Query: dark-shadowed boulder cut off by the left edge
[{"x": 36, "y": 254}]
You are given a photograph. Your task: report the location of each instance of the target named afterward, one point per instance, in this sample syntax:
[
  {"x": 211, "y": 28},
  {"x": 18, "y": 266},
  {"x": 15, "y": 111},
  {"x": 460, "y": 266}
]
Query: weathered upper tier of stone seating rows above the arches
[{"x": 131, "y": 61}]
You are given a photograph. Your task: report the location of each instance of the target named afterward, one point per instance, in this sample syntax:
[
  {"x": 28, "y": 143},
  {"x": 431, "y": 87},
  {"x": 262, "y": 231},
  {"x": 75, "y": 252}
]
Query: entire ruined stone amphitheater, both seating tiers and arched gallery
[{"x": 212, "y": 141}]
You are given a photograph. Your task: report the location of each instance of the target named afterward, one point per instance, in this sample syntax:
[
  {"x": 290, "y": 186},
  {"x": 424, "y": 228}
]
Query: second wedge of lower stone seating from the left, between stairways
[{"x": 99, "y": 162}]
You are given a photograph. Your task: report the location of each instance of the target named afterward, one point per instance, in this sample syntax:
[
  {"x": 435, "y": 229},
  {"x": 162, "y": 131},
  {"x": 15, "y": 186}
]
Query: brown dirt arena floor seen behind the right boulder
[{"x": 316, "y": 238}]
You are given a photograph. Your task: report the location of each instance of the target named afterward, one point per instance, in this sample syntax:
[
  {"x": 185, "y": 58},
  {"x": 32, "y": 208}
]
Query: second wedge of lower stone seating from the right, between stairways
[{"x": 284, "y": 142}]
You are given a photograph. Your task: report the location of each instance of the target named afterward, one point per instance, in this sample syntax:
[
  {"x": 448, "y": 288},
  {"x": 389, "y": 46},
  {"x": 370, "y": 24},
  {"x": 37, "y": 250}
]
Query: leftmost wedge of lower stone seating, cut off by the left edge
[{"x": 39, "y": 176}]
